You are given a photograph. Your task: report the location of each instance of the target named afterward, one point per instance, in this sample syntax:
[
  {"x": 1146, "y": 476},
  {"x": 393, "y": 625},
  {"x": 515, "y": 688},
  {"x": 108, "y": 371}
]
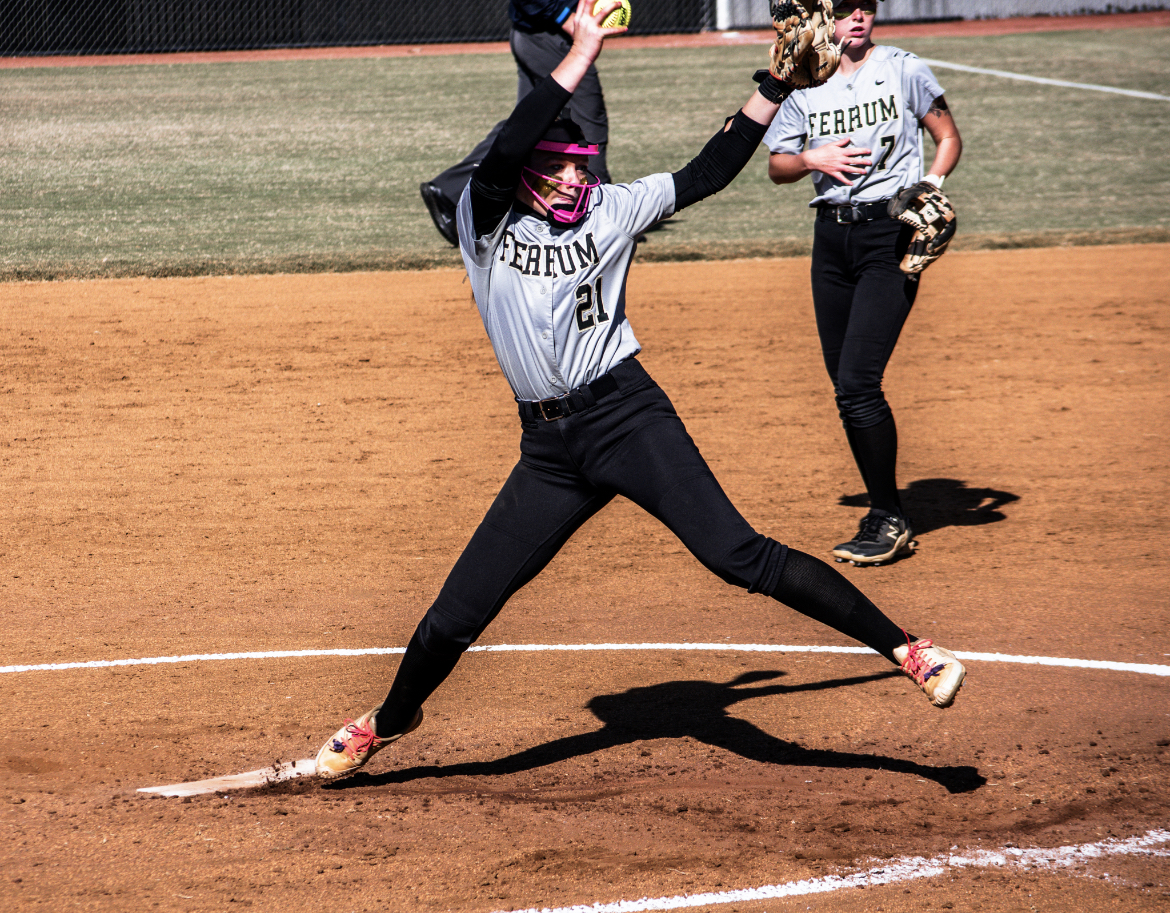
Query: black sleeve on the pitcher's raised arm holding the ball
[{"x": 495, "y": 181}]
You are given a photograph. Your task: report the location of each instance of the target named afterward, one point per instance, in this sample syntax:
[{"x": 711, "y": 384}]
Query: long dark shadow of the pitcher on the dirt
[{"x": 699, "y": 710}]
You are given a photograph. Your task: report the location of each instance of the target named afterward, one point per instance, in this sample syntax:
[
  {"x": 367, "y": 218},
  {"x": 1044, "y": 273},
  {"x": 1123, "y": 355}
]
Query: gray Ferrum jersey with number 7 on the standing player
[{"x": 878, "y": 107}]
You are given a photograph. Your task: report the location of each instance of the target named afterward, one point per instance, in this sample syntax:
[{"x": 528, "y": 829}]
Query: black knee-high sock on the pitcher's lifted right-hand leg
[{"x": 813, "y": 588}]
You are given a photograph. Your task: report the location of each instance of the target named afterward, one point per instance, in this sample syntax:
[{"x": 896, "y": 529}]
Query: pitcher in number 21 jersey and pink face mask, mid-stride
[{"x": 548, "y": 249}]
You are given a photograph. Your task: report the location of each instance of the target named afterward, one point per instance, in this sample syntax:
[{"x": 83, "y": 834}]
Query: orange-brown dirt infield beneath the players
[{"x": 210, "y": 466}]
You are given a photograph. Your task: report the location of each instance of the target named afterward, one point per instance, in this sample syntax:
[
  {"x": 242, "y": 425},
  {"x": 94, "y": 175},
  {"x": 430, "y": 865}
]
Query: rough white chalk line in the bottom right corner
[{"x": 894, "y": 871}]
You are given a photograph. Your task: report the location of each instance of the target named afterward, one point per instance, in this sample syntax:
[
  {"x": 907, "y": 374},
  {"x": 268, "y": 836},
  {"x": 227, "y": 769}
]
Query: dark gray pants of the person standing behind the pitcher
[{"x": 538, "y": 54}]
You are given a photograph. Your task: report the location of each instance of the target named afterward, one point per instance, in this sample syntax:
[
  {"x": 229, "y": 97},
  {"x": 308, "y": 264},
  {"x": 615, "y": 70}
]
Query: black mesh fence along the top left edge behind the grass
[{"x": 49, "y": 28}]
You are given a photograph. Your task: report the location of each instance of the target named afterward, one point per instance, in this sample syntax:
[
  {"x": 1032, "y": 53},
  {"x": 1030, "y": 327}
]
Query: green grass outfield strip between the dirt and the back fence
[{"x": 311, "y": 166}]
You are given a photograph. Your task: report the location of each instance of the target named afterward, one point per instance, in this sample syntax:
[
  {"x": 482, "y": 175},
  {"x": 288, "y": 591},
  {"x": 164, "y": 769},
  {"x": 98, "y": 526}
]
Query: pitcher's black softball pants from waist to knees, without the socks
[{"x": 632, "y": 444}]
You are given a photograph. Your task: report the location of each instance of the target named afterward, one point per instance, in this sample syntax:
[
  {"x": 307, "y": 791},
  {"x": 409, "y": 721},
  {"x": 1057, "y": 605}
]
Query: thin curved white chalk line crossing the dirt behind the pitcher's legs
[{"x": 1144, "y": 669}]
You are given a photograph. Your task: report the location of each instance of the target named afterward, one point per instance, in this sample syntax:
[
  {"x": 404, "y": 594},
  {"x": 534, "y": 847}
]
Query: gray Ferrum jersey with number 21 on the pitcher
[{"x": 553, "y": 298}]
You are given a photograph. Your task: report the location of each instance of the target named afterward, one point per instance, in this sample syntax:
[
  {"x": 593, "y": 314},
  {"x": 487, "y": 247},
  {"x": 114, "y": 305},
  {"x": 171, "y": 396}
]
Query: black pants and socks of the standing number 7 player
[{"x": 862, "y": 300}]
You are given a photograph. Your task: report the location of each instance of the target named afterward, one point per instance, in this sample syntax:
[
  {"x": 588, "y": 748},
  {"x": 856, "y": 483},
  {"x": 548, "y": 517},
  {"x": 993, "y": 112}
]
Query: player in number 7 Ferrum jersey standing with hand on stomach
[{"x": 861, "y": 138}]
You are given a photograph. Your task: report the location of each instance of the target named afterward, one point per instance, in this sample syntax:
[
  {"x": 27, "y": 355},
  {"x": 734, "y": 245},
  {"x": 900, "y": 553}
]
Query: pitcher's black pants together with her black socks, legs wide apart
[{"x": 630, "y": 443}]
